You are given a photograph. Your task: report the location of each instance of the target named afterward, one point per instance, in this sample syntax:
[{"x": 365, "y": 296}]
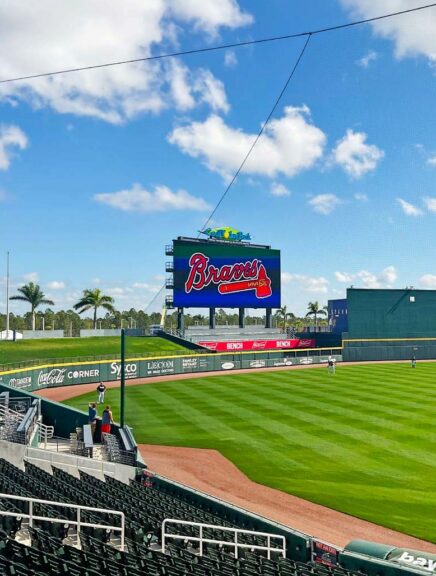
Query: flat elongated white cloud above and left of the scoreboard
[{"x": 162, "y": 198}]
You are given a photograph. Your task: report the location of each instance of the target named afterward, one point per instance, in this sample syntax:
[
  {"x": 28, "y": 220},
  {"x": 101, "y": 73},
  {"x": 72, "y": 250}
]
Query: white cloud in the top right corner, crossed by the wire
[{"x": 413, "y": 34}]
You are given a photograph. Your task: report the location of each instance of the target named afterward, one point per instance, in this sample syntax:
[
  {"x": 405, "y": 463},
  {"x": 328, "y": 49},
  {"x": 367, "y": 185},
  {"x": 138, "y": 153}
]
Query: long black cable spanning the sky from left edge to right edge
[{"x": 219, "y": 47}]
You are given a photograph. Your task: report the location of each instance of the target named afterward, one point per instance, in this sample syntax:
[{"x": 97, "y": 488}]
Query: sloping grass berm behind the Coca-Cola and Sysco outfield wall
[{"x": 72, "y": 347}]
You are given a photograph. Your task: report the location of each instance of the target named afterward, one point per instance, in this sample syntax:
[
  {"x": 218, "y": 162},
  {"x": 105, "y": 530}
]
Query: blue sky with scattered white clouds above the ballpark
[{"x": 99, "y": 170}]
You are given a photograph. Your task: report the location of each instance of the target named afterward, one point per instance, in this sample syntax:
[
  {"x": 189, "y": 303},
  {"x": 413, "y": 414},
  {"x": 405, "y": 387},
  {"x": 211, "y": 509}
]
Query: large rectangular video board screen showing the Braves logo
[{"x": 220, "y": 275}]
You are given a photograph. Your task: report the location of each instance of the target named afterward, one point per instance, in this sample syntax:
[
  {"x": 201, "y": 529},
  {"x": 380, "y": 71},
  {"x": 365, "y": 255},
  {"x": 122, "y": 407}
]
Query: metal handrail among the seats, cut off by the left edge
[{"x": 78, "y": 523}]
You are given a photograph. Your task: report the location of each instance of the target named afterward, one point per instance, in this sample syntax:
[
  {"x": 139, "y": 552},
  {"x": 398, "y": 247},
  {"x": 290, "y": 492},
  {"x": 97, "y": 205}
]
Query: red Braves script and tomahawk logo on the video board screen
[{"x": 239, "y": 277}]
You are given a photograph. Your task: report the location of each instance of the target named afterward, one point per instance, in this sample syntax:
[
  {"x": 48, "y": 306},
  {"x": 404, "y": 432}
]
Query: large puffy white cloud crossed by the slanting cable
[{"x": 289, "y": 144}]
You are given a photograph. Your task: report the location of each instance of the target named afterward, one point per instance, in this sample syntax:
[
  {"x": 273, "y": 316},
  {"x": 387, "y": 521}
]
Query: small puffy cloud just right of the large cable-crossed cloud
[{"x": 355, "y": 156}]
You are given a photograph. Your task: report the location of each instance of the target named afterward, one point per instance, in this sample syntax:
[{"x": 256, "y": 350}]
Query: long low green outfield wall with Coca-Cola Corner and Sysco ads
[{"x": 52, "y": 375}]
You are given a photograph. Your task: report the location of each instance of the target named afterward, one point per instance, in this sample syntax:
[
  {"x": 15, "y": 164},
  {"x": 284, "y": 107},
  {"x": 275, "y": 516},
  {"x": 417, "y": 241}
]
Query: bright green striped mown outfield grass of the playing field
[{"x": 362, "y": 441}]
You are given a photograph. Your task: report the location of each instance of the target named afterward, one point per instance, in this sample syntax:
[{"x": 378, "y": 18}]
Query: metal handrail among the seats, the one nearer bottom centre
[{"x": 235, "y": 544}]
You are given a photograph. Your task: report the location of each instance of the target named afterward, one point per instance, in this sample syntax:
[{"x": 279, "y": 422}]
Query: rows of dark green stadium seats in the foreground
[{"x": 51, "y": 548}]
